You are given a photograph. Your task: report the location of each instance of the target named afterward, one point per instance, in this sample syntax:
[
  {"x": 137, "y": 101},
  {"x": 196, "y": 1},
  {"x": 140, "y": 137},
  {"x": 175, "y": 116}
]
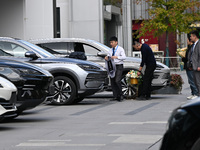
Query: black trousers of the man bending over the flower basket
[{"x": 147, "y": 80}]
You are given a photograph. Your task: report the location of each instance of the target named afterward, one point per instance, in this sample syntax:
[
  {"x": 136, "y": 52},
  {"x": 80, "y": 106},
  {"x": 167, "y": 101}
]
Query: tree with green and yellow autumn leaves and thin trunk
[{"x": 170, "y": 16}]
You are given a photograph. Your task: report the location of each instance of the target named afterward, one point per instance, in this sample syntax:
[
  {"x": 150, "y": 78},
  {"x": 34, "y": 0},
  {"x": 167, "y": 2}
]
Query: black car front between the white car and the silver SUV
[{"x": 34, "y": 84}]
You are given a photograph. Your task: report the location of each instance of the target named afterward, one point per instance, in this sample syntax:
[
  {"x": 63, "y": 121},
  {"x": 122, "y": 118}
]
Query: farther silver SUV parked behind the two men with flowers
[{"x": 95, "y": 51}]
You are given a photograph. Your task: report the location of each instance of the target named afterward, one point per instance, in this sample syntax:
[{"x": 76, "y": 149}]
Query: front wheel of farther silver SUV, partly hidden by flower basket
[{"x": 128, "y": 91}]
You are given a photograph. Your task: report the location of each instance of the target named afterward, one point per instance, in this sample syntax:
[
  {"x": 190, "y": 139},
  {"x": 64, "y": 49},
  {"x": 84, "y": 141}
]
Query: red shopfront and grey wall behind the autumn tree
[{"x": 158, "y": 44}]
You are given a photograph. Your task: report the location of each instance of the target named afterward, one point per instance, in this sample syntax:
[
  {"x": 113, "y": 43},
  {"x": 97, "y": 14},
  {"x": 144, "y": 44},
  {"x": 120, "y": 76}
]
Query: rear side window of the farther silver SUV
[{"x": 60, "y": 47}]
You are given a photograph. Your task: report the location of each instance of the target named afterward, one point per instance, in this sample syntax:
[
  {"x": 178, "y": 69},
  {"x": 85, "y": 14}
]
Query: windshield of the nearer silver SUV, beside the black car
[{"x": 37, "y": 49}]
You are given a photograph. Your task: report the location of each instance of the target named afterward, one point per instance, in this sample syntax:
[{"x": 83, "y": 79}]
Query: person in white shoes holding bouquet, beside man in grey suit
[{"x": 189, "y": 71}]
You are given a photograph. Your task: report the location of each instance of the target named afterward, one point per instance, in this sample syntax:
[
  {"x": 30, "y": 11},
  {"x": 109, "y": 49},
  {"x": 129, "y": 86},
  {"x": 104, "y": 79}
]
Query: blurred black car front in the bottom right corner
[{"x": 183, "y": 130}]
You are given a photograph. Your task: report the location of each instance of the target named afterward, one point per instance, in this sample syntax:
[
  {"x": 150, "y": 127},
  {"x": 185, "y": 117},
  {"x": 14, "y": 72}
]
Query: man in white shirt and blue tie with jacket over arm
[{"x": 118, "y": 55}]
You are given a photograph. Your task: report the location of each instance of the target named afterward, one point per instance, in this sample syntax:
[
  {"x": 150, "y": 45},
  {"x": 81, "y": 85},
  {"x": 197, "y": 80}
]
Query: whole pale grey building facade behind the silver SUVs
[{"x": 31, "y": 19}]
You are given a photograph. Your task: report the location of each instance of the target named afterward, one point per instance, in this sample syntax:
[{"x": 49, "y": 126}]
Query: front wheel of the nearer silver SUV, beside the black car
[{"x": 65, "y": 91}]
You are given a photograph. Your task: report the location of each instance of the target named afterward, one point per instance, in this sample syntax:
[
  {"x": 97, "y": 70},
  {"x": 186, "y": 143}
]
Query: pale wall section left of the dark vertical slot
[{"x": 26, "y": 19}]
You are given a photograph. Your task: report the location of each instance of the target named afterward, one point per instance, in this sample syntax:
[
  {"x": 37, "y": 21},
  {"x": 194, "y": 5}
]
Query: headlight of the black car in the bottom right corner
[{"x": 177, "y": 118}]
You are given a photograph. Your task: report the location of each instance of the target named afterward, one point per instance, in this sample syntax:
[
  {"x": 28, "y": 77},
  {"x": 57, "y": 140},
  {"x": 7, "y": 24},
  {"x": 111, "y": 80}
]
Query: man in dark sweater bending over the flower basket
[{"x": 149, "y": 61}]
